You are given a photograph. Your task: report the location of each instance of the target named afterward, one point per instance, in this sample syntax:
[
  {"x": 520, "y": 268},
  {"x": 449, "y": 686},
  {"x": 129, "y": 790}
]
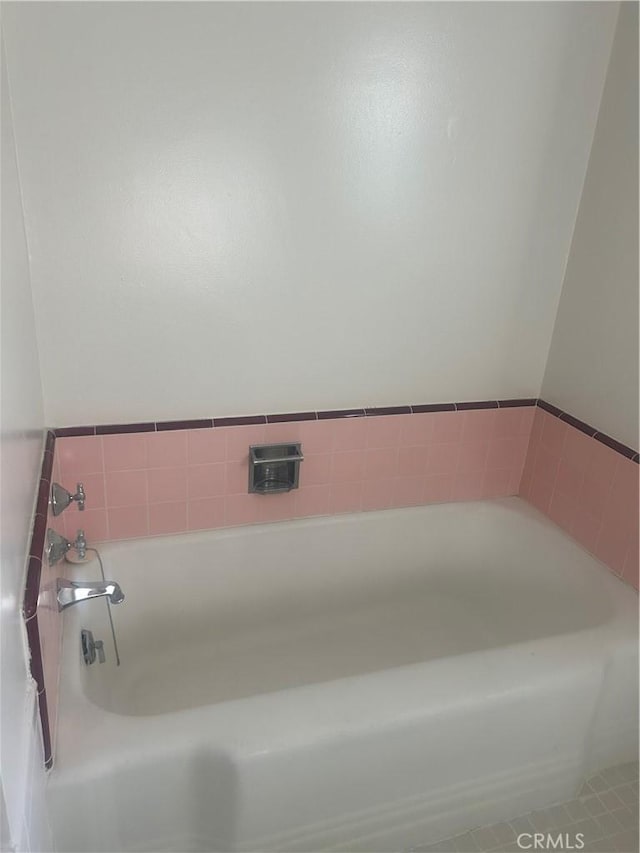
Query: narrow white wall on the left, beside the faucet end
[{"x": 22, "y": 776}]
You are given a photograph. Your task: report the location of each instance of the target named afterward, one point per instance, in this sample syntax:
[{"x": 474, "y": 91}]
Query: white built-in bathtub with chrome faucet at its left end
[{"x": 369, "y": 682}]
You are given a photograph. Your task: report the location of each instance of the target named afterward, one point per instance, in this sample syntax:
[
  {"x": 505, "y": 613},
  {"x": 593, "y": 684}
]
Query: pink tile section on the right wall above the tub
[{"x": 587, "y": 489}]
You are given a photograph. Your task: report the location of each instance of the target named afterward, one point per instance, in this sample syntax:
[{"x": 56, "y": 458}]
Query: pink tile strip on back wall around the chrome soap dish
[{"x": 145, "y": 484}]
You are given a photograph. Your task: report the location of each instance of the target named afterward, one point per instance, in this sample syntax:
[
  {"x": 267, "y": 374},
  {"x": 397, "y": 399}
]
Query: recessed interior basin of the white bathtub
[{"x": 250, "y": 613}]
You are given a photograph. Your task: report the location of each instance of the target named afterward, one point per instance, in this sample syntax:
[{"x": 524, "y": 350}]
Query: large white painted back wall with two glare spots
[{"x": 237, "y": 207}]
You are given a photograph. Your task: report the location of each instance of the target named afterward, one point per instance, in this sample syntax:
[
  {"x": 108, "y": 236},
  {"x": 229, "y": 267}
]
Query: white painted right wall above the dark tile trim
[{"x": 592, "y": 370}]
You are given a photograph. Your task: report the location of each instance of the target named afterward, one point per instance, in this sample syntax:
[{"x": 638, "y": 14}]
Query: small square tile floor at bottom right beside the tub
[{"x": 605, "y": 813}]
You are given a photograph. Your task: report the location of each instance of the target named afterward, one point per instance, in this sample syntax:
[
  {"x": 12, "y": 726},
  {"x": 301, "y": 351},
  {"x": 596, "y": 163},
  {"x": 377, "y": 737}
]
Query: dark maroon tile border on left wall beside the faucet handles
[{"x": 32, "y": 587}]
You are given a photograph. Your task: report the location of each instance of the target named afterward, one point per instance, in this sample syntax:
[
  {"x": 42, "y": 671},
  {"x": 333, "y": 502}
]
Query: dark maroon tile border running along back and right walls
[{"x": 371, "y": 411}]
